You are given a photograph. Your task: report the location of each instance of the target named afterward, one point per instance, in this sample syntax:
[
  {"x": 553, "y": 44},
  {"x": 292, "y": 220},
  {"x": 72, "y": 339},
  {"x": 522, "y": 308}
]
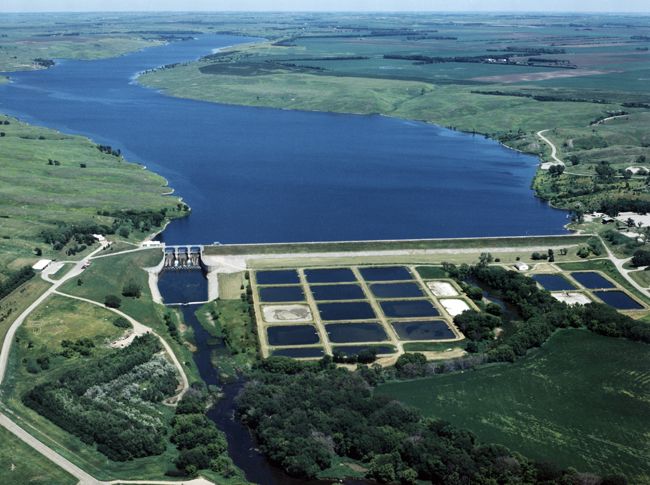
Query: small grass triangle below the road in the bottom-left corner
[{"x": 21, "y": 464}]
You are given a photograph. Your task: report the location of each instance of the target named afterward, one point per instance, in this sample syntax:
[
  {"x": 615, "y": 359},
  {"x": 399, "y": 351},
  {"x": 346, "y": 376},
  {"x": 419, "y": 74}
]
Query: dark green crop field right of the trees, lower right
[{"x": 582, "y": 400}]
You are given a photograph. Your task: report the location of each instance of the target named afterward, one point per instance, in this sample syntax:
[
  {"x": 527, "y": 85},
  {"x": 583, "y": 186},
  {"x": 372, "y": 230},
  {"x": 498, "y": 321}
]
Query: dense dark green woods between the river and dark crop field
[{"x": 304, "y": 421}]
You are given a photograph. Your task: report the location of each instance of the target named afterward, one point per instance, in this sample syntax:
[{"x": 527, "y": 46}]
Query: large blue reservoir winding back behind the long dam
[{"x": 254, "y": 175}]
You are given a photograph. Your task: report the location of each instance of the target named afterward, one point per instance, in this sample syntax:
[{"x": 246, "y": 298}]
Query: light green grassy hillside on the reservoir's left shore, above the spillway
[{"x": 35, "y": 195}]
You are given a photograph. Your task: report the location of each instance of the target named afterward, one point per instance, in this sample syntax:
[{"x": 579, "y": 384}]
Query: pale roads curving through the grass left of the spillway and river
[{"x": 84, "y": 478}]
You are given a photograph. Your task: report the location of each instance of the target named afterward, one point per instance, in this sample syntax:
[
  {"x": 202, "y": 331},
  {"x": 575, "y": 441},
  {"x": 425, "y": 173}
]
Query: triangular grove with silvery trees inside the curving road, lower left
[{"x": 103, "y": 401}]
